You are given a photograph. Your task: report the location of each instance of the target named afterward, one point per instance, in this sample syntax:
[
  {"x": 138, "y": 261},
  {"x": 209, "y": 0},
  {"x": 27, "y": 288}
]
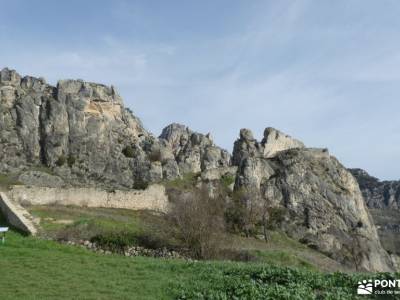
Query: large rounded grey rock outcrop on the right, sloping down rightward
[{"x": 323, "y": 204}]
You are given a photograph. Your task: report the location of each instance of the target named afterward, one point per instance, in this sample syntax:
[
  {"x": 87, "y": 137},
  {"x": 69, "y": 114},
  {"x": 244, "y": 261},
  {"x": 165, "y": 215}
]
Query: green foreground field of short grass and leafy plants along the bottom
[{"x": 32, "y": 268}]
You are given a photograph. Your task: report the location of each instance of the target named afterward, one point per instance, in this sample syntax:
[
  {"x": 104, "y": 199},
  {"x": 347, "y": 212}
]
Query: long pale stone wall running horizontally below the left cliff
[{"x": 153, "y": 198}]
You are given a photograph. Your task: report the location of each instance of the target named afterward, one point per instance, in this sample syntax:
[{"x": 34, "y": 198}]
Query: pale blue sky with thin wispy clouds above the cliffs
[{"x": 326, "y": 72}]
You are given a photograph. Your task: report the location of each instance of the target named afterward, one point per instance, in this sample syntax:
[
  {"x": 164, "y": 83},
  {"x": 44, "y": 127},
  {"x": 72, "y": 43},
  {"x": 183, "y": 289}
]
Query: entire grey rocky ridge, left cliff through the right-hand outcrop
[{"x": 79, "y": 133}]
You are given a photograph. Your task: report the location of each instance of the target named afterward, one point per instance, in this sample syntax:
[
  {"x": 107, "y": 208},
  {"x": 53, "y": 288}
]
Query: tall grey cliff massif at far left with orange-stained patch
[{"x": 81, "y": 130}]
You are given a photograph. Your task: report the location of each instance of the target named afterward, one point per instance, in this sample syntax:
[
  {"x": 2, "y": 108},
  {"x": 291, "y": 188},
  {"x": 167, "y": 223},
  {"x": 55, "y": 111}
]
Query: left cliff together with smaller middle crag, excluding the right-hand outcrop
[{"x": 85, "y": 135}]
